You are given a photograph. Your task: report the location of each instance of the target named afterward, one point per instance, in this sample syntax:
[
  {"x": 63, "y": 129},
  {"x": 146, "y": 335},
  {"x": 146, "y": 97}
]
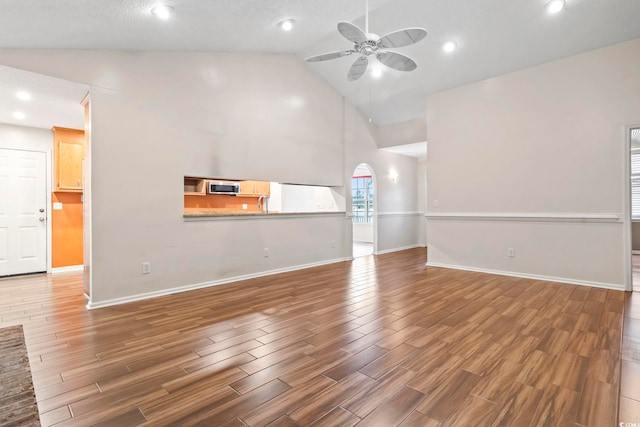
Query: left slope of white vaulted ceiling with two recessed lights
[{"x": 196, "y": 25}]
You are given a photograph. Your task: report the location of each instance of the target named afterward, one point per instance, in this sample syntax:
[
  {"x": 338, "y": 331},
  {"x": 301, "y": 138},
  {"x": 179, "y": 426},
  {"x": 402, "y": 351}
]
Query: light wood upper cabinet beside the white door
[{"x": 68, "y": 153}]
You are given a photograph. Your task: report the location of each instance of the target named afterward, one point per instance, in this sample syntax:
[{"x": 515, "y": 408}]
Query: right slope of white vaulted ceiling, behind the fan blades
[{"x": 494, "y": 37}]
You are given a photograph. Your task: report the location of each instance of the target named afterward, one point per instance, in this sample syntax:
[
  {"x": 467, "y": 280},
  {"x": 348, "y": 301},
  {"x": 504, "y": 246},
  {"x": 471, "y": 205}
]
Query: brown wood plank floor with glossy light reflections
[{"x": 380, "y": 341}]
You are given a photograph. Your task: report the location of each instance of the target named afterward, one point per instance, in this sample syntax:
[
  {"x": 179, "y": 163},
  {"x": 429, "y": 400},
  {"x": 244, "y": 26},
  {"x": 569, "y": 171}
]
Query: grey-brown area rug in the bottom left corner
[{"x": 18, "y": 405}]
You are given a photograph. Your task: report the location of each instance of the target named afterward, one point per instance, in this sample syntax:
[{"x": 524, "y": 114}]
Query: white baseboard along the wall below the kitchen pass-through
[{"x": 139, "y": 297}]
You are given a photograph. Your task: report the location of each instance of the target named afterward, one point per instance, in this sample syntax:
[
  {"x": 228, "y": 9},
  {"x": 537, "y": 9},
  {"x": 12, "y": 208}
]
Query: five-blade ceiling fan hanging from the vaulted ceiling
[{"x": 367, "y": 44}]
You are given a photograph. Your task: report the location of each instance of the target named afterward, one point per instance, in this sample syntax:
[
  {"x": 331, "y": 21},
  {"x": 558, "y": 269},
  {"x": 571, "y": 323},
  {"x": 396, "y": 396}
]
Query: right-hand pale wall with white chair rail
[{"x": 534, "y": 160}]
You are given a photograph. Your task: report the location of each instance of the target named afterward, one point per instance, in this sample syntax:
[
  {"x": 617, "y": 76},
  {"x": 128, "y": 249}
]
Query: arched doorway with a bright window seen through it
[{"x": 363, "y": 194}]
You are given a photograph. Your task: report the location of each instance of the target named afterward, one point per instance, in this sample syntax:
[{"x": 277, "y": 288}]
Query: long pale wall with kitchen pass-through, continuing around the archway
[{"x": 158, "y": 116}]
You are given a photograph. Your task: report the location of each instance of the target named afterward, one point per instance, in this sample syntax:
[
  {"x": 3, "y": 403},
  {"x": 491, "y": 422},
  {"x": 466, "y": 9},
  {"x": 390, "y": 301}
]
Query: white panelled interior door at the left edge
[{"x": 23, "y": 216}]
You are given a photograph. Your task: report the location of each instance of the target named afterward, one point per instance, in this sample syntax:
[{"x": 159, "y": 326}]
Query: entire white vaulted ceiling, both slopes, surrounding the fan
[{"x": 494, "y": 36}]
